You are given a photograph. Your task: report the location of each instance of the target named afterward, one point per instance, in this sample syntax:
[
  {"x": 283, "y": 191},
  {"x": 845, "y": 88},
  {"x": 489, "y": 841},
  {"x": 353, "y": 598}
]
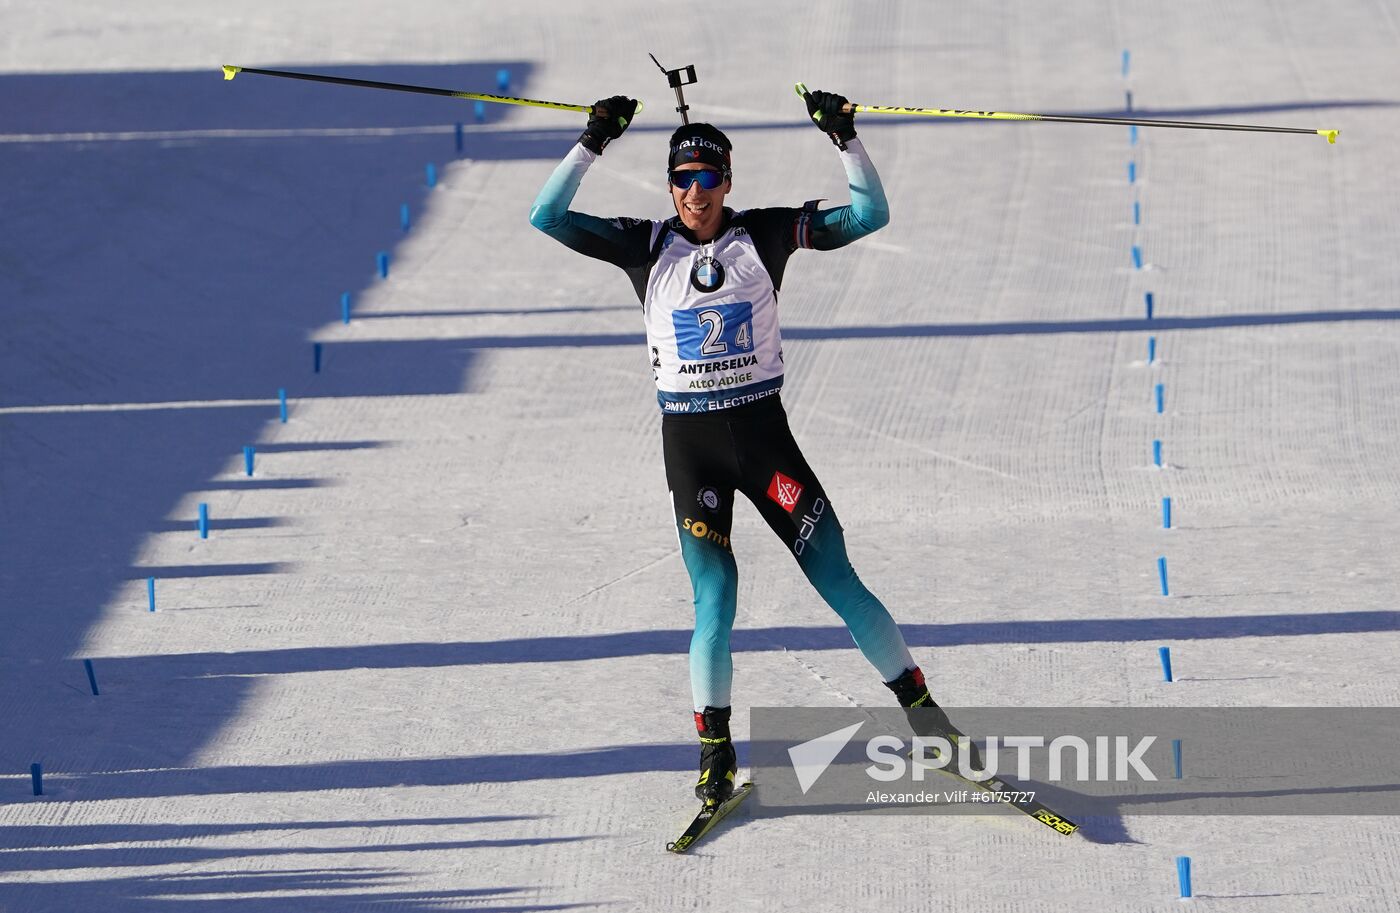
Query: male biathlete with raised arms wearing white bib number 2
[{"x": 708, "y": 281}]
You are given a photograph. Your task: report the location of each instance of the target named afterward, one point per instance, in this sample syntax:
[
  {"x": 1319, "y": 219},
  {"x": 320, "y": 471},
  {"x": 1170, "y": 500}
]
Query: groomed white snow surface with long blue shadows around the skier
[{"x": 433, "y": 653}]
